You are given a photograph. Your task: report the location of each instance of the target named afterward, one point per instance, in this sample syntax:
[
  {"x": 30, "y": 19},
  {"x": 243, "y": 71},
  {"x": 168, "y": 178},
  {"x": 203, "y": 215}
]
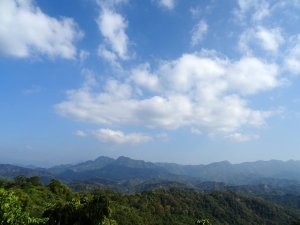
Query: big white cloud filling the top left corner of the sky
[{"x": 25, "y": 31}]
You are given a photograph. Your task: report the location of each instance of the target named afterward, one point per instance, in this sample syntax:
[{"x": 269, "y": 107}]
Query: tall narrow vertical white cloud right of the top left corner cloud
[{"x": 112, "y": 26}]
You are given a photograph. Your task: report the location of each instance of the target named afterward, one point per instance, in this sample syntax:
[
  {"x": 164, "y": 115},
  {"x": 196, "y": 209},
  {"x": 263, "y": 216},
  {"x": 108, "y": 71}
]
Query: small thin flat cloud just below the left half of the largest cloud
[{"x": 118, "y": 137}]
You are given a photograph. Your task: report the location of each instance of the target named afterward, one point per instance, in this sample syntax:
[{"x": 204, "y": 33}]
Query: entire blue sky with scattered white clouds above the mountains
[{"x": 184, "y": 81}]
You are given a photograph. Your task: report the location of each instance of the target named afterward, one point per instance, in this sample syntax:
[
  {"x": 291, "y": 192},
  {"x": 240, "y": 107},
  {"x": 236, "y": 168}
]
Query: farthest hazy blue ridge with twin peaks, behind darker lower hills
[{"x": 124, "y": 169}]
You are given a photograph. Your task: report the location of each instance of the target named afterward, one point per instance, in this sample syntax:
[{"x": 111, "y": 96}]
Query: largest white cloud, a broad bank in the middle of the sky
[{"x": 202, "y": 91}]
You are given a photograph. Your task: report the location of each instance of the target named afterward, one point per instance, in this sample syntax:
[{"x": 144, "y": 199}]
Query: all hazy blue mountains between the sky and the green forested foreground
[{"x": 278, "y": 181}]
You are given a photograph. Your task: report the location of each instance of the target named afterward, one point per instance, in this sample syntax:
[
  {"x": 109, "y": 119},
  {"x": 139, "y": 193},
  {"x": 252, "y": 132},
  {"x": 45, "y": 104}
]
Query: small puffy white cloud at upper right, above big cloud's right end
[{"x": 267, "y": 39}]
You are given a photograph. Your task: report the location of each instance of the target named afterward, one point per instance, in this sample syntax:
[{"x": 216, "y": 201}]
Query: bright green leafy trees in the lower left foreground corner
[{"x": 27, "y": 201}]
